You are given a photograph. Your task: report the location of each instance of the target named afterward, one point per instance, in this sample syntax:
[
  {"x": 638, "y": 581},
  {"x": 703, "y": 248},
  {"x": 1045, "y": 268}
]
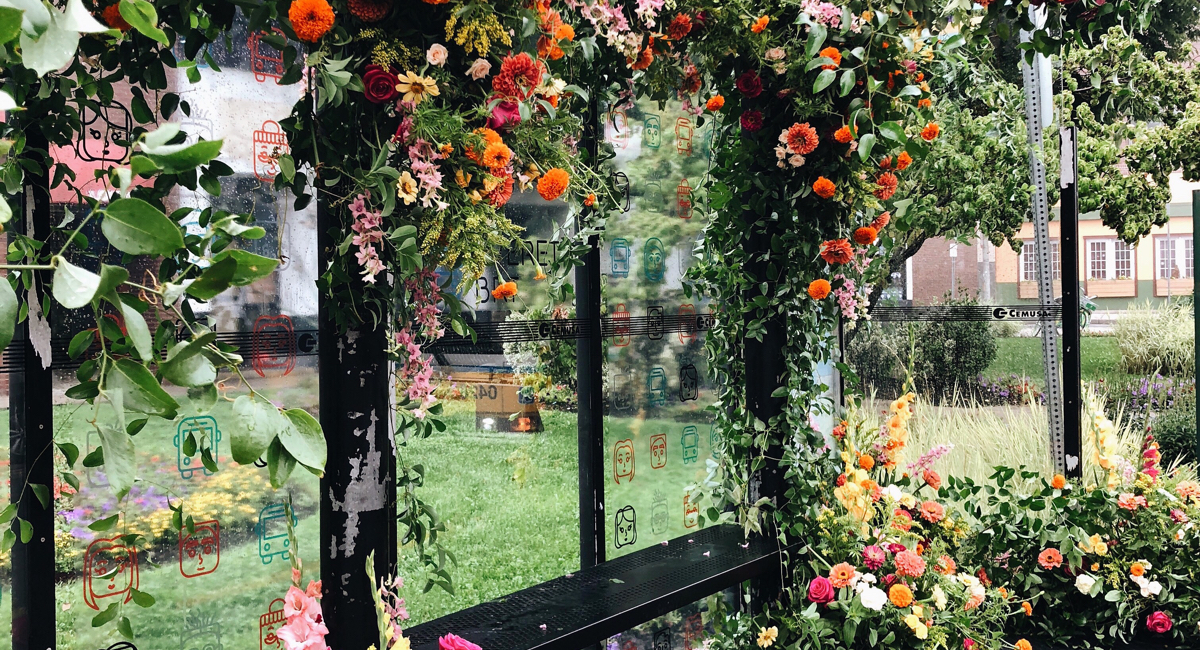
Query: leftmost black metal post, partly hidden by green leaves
[{"x": 32, "y": 453}]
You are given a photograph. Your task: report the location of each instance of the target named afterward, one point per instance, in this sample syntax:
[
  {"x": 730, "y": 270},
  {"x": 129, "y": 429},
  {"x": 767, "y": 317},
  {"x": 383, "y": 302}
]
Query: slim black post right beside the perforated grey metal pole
[{"x": 1072, "y": 372}]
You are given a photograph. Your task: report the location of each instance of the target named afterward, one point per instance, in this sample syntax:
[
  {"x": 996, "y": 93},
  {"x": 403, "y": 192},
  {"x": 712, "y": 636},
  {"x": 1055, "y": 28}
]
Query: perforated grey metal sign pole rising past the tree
[{"x": 1039, "y": 113}]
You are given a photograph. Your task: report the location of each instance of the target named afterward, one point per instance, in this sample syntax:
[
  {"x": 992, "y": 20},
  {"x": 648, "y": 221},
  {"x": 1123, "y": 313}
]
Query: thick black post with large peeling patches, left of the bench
[{"x": 358, "y": 492}]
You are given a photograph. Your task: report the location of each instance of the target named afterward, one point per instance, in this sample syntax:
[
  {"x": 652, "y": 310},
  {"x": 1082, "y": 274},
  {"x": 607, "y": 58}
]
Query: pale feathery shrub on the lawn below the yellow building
[{"x": 1157, "y": 340}]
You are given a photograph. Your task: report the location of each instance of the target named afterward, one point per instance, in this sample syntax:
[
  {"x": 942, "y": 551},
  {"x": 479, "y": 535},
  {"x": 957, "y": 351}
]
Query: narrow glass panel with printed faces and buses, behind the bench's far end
[{"x": 658, "y": 435}]
